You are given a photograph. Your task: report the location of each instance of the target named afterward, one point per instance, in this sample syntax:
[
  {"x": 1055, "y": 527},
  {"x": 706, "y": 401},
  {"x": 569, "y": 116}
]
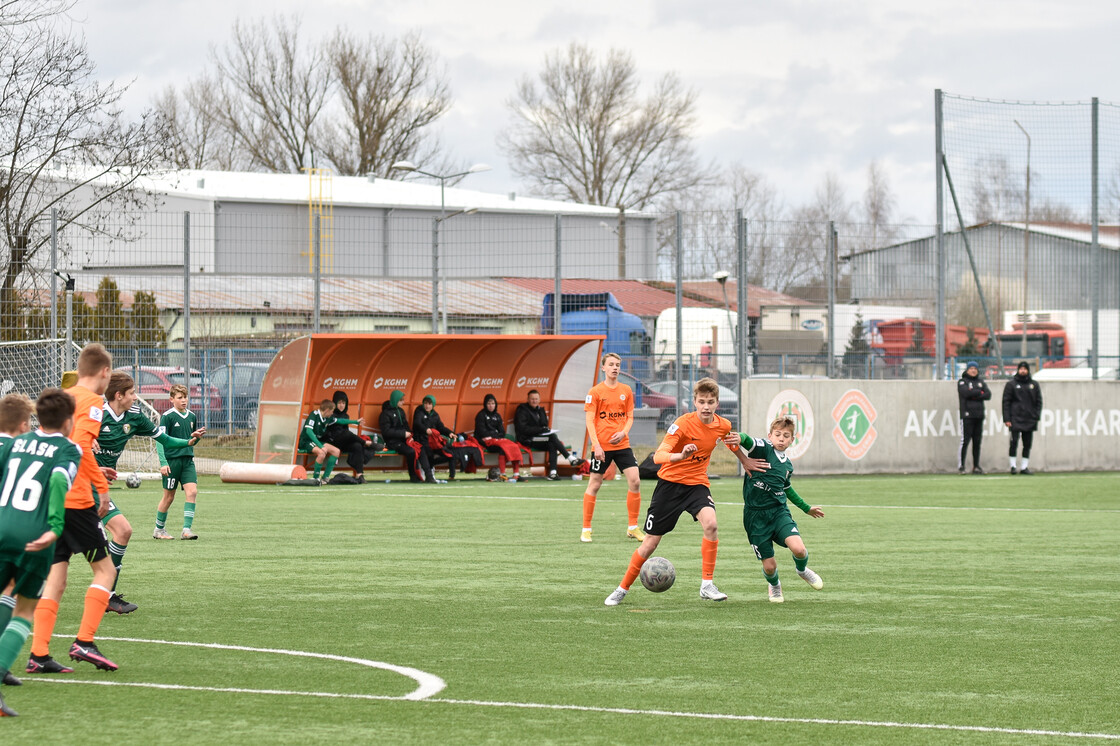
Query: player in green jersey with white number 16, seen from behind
[{"x": 38, "y": 471}]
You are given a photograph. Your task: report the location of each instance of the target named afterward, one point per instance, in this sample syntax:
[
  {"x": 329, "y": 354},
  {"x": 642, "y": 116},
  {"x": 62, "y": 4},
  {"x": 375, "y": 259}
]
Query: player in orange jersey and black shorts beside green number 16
[{"x": 87, "y": 502}]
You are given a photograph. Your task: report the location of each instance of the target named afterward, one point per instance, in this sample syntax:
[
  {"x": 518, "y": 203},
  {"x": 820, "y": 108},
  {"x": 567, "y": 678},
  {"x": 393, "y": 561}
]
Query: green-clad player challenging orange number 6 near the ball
[{"x": 766, "y": 511}]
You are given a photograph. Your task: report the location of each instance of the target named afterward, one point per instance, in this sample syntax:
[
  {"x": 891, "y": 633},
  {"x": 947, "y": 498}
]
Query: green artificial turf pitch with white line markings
[{"x": 949, "y": 601}]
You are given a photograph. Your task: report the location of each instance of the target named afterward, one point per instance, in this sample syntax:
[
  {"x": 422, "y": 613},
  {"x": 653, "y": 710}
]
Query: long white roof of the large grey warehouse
[{"x": 353, "y": 192}]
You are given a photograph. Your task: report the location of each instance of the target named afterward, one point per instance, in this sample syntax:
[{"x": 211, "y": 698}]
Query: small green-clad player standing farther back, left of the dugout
[{"x": 178, "y": 463}]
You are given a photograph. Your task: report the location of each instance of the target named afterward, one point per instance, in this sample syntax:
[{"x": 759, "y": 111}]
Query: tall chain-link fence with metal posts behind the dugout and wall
[{"x": 1023, "y": 264}]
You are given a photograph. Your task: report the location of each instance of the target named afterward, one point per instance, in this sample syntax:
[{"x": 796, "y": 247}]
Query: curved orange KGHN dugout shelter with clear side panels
[{"x": 458, "y": 370}]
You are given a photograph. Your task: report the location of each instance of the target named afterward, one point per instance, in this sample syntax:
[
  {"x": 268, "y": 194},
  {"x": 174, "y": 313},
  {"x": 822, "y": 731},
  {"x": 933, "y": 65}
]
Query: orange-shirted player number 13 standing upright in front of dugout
[{"x": 609, "y": 412}]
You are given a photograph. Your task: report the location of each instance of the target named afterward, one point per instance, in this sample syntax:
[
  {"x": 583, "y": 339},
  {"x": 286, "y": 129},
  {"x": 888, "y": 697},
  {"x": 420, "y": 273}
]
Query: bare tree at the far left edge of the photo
[{"x": 62, "y": 137}]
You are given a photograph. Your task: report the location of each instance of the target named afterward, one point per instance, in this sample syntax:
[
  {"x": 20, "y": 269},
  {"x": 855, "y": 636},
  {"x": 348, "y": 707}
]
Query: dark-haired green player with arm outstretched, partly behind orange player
[{"x": 123, "y": 421}]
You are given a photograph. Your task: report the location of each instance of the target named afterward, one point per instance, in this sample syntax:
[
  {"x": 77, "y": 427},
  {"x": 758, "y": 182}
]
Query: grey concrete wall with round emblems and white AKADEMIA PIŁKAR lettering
[{"x": 867, "y": 427}]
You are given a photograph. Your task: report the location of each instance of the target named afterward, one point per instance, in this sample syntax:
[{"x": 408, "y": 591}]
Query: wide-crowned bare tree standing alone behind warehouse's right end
[{"x": 584, "y": 135}]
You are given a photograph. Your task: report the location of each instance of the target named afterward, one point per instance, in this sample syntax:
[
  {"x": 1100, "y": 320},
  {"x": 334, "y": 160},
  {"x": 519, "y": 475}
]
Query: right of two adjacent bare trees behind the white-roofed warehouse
[{"x": 390, "y": 94}]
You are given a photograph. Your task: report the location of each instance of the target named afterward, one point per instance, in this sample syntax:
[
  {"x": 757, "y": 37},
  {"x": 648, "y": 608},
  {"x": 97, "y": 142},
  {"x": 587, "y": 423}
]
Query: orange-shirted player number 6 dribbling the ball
[{"x": 683, "y": 487}]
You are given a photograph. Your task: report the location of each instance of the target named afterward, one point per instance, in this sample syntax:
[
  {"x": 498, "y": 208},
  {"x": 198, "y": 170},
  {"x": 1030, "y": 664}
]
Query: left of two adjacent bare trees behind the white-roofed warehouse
[{"x": 272, "y": 92}]
